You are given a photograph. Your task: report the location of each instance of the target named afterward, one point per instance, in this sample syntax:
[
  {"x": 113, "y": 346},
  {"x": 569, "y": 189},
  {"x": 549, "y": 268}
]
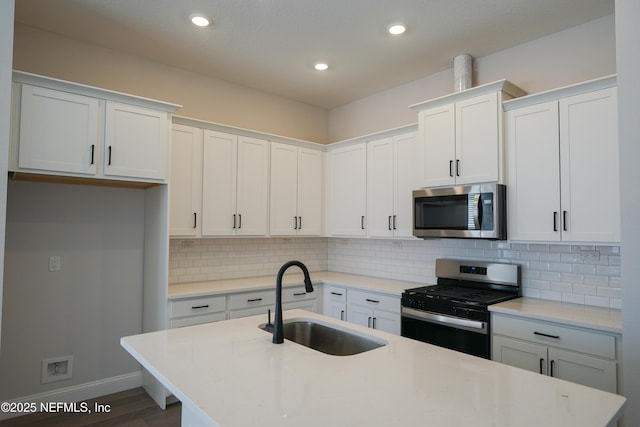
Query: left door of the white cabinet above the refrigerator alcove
[{"x": 58, "y": 131}]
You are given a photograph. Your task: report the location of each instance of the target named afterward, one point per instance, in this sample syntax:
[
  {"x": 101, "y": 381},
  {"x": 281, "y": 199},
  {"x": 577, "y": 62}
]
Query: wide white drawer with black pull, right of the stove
[{"x": 553, "y": 334}]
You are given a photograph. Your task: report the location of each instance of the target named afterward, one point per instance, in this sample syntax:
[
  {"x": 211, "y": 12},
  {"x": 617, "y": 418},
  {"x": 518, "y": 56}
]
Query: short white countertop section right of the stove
[{"x": 603, "y": 319}]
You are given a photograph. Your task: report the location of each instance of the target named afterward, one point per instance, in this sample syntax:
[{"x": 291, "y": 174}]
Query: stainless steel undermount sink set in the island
[{"x": 327, "y": 339}]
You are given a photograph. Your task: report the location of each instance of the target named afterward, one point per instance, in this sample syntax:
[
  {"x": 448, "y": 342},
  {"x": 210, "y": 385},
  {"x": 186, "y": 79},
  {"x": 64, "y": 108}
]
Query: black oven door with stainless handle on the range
[{"x": 467, "y": 336}]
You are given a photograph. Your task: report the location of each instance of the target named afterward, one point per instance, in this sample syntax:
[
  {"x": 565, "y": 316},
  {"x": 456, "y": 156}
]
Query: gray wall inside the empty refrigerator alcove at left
[{"x": 83, "y": 309}]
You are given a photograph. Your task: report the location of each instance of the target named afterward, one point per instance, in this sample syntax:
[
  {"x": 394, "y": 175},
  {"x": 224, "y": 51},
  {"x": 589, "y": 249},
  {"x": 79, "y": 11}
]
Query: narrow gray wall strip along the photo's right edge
[{"x": 628, "y": 57}]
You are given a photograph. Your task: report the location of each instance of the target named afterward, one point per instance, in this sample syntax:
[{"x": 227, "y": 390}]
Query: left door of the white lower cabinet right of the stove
[{"x": 521, "y": 354}]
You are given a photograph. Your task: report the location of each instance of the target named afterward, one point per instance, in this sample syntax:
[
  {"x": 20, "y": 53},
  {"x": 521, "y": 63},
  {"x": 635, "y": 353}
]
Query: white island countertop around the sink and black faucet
[{"x": 230, "y": 374}]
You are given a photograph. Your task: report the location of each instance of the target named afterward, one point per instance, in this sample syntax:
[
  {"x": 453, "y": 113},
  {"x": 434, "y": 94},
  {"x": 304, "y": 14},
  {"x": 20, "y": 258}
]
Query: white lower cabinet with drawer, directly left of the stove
[{"x": 374, "y": 310}]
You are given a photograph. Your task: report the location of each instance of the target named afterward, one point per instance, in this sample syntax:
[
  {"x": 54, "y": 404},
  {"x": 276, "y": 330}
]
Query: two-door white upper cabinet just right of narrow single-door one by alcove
[{"x": 235, "y": 185}]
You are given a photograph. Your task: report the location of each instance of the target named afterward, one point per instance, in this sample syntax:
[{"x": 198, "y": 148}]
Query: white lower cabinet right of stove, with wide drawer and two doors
[{"x": 583, "y": 356}]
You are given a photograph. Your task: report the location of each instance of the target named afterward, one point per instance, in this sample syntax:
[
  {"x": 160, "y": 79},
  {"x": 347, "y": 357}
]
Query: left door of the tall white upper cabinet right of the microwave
[{"x": 534, "y": 174}]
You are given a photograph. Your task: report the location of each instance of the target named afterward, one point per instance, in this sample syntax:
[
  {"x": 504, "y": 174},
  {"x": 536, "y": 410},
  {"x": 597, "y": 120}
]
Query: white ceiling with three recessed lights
[{"x": 271, "y": 45}]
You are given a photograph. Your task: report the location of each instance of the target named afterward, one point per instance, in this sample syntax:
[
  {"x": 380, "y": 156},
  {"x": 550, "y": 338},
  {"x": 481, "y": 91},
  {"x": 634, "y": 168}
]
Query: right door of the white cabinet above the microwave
[{"x": 478, "y": 139}]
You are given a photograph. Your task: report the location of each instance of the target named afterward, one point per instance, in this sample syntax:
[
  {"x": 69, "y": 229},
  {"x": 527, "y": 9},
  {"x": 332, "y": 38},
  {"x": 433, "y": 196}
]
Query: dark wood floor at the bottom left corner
[{"x": 131, "y": 408}]
